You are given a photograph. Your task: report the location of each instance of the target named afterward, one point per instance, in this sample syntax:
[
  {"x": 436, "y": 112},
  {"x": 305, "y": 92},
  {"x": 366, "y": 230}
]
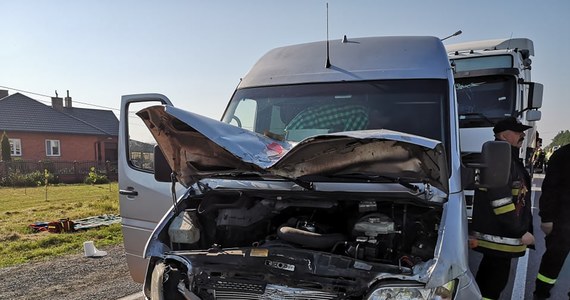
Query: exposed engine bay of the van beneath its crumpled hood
[{"x": 385, "y": 231}]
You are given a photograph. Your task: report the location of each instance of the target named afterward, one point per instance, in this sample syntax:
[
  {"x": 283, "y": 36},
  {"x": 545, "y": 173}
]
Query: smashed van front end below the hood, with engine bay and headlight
[{"x": 225, "y": 242}]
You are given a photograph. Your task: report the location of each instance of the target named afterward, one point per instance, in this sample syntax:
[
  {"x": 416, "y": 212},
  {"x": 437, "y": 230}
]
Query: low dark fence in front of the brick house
[{"x": 63, "y": 171}]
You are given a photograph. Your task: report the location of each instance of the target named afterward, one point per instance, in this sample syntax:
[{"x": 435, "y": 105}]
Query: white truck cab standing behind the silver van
[{"x": 493, "y": 81}]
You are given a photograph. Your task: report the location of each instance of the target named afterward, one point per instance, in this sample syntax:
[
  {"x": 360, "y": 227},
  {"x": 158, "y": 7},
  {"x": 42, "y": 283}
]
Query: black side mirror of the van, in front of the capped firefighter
[{"x": 494, "y": 168}]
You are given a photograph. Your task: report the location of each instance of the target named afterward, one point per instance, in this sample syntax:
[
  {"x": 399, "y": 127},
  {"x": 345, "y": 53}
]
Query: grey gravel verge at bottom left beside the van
[{"x": 71, "y": 277}]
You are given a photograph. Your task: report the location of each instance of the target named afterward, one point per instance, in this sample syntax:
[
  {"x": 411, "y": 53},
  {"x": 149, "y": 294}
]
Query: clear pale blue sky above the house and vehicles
[{"x": 195, "y": 52}]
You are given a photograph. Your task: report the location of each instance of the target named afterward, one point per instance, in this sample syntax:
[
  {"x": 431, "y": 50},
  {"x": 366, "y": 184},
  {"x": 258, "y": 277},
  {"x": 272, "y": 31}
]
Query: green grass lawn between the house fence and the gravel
[{"x": 20, "y": 207}]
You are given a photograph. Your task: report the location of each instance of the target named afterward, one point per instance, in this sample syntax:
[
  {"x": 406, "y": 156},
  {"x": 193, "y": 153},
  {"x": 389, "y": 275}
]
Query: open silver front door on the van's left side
[{"x": 142, "y": 200}]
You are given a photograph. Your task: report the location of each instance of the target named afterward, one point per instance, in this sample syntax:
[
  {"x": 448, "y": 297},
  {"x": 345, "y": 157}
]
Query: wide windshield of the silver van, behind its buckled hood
[{"x": 294, "y": 112}]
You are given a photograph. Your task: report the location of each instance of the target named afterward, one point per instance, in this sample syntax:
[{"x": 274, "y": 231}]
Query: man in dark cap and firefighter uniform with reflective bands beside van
[{"x": 502, "y": 218}]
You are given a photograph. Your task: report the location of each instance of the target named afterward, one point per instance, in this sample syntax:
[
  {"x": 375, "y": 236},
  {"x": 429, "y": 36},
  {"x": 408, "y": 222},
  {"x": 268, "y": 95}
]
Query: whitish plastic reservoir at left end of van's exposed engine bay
[{"x": 185, "y": 228}]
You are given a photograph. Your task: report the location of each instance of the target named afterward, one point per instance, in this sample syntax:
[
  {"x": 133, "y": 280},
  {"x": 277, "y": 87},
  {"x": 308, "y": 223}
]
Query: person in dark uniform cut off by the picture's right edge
[{"x": 555, "y": 207}]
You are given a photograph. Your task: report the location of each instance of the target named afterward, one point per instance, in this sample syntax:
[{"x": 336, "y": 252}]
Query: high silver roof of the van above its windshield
[{"x": 370, "y": 58}]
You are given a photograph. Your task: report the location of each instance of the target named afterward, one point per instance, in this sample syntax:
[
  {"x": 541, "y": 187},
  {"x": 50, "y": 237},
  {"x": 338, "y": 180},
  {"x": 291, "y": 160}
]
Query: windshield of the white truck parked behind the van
[{"x": 484, "y": 100}]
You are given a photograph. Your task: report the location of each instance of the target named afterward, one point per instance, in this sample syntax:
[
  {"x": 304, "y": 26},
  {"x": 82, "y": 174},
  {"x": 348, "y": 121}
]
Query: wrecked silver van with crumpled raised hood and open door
[{"x": 334, "y": 173}]
